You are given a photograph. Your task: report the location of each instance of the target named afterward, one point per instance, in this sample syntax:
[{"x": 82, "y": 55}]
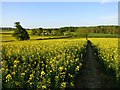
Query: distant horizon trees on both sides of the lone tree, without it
[{"x": 64, "y": 30}]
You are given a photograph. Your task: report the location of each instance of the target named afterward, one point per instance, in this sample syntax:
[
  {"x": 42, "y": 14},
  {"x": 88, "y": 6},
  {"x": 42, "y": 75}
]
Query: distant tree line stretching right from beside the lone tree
[{"x": 79, "y": 30}]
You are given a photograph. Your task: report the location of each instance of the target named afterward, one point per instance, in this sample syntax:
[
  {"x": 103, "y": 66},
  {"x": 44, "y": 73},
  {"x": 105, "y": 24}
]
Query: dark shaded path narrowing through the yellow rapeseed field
[{"x": 92, "y": 75}]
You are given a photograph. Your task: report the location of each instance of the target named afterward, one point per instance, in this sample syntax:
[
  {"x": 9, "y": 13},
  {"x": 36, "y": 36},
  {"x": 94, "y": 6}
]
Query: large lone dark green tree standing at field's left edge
[{"x": 20, "y": 33}]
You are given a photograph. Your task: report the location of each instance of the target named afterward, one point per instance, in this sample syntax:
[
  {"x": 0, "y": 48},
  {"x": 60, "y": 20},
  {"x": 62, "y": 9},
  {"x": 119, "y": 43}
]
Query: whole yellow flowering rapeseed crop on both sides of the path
[{"x": 55, "y": 63}]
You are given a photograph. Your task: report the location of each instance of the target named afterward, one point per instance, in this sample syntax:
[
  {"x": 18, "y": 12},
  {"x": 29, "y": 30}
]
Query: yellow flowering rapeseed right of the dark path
[{"x": 107, "y": 49}]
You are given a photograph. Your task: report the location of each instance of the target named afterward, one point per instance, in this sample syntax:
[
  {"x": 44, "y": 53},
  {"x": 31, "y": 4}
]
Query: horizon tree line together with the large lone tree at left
[{"x": 21, "y": 33}]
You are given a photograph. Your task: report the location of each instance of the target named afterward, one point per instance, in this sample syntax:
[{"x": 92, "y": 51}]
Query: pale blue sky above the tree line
[{"x": 59, "y": 14}]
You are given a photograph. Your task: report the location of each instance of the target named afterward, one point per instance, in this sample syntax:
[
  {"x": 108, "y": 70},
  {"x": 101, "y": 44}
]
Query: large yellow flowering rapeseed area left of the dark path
[{"x": 42, "y": 64}]
